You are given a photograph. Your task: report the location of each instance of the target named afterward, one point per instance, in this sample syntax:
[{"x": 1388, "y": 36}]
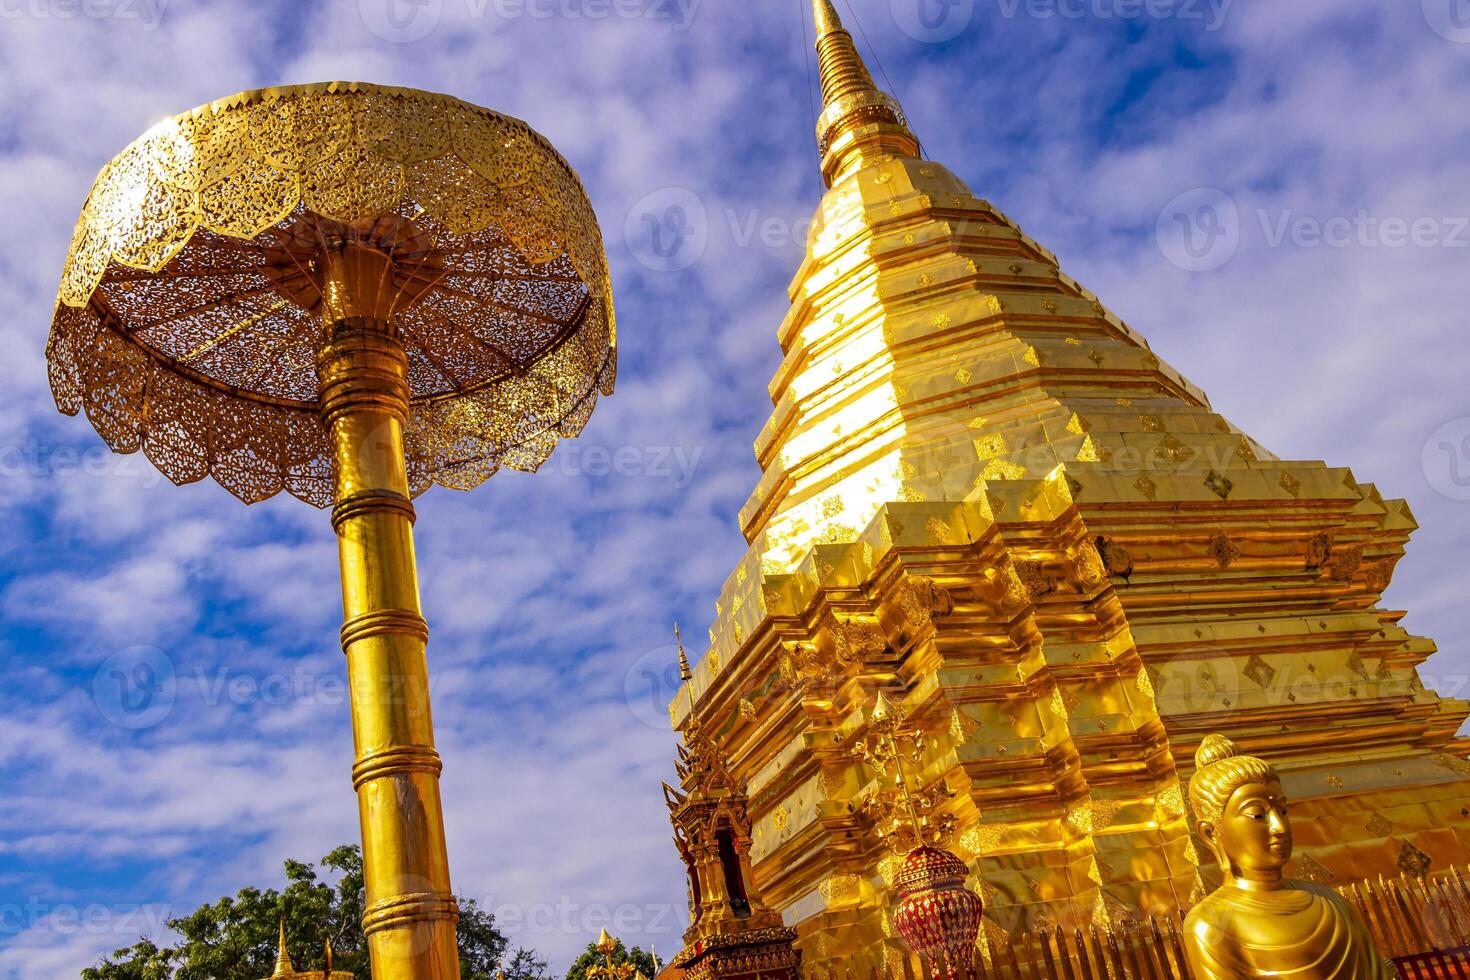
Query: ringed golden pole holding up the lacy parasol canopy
[{"x": 411, "y": 910}]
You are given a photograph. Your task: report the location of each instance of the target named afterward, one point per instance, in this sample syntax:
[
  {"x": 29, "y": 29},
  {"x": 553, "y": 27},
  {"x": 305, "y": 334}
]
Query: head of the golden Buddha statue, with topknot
[{"x": 1241, "y": 810}]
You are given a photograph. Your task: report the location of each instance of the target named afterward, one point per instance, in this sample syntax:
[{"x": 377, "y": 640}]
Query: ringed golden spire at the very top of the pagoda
[{"x": 859, "y": 121}]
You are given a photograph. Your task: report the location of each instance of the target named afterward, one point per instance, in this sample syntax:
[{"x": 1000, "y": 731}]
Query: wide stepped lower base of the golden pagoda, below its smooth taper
[{"x": 1061, "y": 662}]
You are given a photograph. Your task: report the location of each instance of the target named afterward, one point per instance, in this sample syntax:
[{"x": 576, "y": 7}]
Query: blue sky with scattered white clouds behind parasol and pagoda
[{"x": 1312, "y": 130}]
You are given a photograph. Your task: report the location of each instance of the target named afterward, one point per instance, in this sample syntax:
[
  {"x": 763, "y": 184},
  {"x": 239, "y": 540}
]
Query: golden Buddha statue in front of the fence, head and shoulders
[{"x": 1259, "y": 923}]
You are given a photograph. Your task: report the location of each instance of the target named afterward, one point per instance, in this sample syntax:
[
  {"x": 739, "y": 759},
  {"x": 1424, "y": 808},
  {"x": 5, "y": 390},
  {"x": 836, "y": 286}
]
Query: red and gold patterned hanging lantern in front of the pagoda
[{"x": 939, "y": 918}]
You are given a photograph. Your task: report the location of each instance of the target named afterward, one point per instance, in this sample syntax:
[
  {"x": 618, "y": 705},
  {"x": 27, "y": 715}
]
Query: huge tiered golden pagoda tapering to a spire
[{"x": 986, "y": 497}]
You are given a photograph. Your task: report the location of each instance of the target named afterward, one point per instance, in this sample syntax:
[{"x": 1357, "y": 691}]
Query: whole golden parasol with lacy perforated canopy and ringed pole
[{"x": 349, "y": 293}]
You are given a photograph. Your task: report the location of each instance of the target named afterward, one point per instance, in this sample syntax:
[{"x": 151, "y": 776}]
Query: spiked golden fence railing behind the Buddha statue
[{"x": 1422, "y": 923}]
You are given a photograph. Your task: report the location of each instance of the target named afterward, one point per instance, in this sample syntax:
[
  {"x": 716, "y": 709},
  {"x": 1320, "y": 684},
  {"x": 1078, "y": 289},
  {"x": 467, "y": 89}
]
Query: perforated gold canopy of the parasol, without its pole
[{"x": 190, "y": 312}]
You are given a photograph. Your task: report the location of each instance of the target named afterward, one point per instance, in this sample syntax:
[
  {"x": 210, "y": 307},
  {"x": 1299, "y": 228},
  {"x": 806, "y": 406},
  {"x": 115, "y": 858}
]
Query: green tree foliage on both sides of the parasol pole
[{"x": 236, "y": 938}]
